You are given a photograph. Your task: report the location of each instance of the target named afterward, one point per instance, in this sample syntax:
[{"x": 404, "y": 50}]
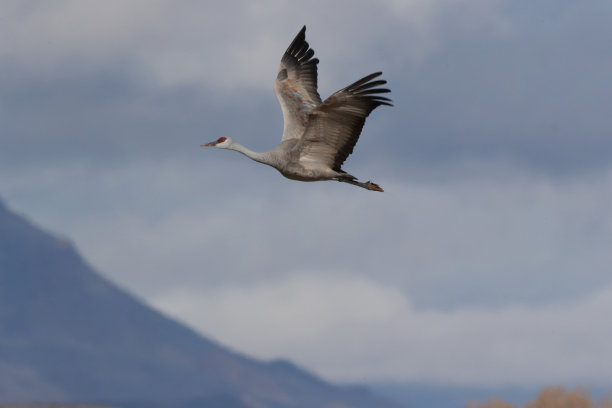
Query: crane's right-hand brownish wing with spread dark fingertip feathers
[{"x": 334, "y": 127}]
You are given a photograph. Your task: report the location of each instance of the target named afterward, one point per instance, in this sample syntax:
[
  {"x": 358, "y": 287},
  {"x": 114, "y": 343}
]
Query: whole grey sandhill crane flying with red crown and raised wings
[{"x": 317, "y": 136}]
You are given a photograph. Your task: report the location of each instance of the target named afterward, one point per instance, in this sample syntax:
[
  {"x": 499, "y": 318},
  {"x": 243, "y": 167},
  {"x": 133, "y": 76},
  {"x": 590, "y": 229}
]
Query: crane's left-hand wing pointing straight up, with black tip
[{"x": 296, "y": 85}]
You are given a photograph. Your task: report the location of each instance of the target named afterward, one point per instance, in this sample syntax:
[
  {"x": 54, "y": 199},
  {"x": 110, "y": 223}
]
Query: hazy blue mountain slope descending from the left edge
[{"x": 69, "y": 335}]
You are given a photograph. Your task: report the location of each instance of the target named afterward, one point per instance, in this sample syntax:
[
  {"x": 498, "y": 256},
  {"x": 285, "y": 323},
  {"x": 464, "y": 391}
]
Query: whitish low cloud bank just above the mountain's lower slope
[{"x": 350, "y": 328}]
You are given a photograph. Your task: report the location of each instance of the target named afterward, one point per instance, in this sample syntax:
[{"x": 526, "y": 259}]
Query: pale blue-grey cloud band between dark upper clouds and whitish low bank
[{"x": 219, "y": 219}]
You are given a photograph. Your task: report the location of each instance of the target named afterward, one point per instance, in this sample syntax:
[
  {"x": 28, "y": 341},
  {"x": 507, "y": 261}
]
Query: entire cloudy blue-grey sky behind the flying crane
[{"x": 485, "y": 262}]
